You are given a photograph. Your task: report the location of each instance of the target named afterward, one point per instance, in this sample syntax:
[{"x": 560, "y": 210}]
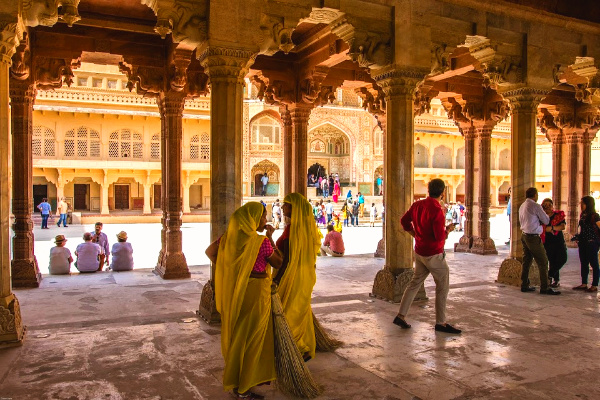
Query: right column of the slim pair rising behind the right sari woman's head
[{"x": 299, "y": 114}]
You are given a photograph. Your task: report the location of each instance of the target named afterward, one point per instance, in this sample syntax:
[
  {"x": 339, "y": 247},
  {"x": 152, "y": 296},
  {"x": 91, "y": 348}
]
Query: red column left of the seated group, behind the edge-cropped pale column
[{"x": 25, "y": 271}]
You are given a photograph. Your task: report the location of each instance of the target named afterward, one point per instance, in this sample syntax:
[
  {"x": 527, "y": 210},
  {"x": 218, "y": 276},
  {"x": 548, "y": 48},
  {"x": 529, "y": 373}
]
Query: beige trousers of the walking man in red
[{"x": 438, "y": 267}]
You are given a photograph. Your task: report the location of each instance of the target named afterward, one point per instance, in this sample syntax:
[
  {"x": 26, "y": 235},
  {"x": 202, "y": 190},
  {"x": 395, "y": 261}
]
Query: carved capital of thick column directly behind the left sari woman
[{"x": 226, "y": 63}]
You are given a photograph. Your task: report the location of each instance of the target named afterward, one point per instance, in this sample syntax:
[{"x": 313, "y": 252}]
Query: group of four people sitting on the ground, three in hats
[{"x": 92, "y": 254}]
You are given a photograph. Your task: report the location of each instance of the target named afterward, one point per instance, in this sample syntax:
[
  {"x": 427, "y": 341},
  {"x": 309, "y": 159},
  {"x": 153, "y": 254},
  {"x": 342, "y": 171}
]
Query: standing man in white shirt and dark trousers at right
[{"x": 531, "y": 217}]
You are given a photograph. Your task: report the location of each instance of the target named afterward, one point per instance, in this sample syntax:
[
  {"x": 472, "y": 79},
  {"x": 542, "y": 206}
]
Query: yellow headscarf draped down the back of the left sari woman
[{"x": 236, "y": 257}]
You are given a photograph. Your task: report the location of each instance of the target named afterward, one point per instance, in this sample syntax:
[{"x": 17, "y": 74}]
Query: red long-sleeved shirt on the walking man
[{"x": 427, "y": 219}]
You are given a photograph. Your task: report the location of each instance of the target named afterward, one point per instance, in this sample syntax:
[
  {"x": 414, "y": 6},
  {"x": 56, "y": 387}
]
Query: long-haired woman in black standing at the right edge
[{"x": 588, "y": 241}]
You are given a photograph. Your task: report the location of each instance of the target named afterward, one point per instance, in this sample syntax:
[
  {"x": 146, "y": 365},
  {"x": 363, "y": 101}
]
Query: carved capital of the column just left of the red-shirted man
[{"x": 399, "y": 81}]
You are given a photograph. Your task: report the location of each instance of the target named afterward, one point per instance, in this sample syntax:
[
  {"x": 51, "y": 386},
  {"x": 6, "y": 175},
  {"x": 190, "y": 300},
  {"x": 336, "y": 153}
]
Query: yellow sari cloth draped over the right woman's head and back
[{"x": 296, "y": 285}]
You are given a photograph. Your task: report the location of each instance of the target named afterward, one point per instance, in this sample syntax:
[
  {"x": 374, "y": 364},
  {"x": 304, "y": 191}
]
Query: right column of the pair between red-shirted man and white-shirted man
[{"x": 482, "y": 242}]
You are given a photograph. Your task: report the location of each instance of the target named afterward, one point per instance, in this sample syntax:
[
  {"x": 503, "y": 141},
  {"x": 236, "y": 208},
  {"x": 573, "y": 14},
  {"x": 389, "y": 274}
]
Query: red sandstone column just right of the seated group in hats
[{"x": 173, "y": 264}]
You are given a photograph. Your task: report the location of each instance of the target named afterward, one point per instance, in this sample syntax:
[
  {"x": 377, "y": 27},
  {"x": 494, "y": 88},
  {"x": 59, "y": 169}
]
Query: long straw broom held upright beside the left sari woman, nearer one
[{"x": 293, "y": 377}]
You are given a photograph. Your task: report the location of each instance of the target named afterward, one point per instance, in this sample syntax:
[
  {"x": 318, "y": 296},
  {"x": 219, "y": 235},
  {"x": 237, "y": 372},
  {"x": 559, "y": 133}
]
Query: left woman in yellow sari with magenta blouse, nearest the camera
[{"x": 243, "y": 298}]
